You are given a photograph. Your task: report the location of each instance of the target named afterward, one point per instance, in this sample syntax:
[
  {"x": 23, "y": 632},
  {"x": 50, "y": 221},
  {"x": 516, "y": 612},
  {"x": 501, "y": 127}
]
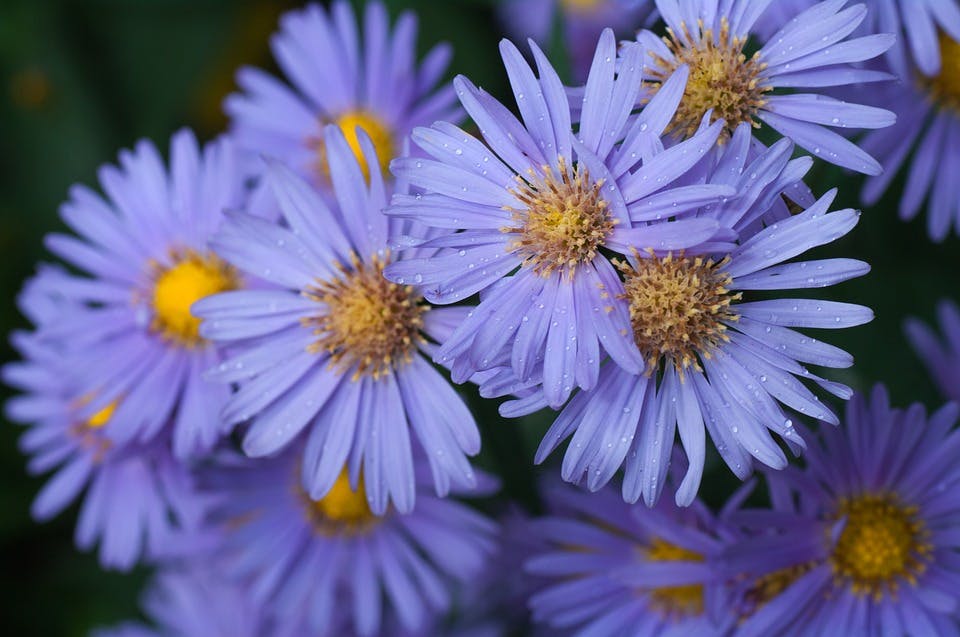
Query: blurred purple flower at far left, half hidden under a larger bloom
[{"x": 139, "y": 500}]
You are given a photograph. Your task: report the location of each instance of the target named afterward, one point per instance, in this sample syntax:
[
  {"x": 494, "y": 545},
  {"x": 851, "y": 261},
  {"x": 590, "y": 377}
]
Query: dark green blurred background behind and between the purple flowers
[{"x": 80, "y": 80}]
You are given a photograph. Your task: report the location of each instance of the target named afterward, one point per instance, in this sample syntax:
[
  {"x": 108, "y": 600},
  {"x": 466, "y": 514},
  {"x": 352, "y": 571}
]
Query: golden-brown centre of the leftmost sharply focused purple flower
[{"x": 369, "y": 323}]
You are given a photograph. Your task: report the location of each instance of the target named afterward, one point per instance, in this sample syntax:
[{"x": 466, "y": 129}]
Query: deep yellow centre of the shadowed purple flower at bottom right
[{"x": 883, "y": 541}]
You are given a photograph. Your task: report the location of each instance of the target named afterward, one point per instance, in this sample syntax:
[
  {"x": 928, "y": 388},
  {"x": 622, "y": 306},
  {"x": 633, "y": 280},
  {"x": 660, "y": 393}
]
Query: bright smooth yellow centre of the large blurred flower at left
[{"x": 176, "y": 288}]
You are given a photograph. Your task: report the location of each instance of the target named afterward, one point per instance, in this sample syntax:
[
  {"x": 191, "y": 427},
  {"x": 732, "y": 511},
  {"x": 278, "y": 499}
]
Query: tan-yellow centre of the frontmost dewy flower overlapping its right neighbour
[{"x": 565, "y": 220}]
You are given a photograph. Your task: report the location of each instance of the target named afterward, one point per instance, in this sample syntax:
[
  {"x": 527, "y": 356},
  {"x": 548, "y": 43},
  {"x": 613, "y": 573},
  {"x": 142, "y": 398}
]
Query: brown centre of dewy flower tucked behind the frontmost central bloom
[{"x": 678, "y": 306}]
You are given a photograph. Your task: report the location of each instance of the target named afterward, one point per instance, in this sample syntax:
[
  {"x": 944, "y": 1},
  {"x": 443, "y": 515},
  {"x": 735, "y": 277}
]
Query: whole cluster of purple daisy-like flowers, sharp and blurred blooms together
[{"x": 249, "y": 365}]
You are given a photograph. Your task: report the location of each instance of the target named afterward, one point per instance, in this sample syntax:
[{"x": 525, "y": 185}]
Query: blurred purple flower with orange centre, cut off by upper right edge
[{"x": 928, "y": 133}]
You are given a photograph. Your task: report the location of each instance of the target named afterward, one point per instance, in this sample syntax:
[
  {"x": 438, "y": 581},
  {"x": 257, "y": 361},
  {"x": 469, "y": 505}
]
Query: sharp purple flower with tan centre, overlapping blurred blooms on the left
[{"x": 332, "y": 346}]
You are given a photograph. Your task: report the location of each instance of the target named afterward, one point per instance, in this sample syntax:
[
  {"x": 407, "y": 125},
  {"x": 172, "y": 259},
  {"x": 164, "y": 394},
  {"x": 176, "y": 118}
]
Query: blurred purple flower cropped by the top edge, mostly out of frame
[{"x": 581, "y": 22}]
